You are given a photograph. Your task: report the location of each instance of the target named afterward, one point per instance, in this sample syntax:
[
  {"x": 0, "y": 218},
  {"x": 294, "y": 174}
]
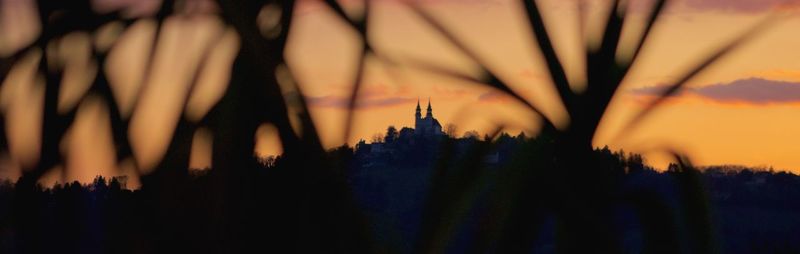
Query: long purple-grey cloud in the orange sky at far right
[{"x": 753, "y": 91}]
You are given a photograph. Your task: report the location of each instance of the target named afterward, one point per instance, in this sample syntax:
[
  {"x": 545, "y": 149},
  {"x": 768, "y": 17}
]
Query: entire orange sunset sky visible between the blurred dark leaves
[{"x": 743, "y": 110}]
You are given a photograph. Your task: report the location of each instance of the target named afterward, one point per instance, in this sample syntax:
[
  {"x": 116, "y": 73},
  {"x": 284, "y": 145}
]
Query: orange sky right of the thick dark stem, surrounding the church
[{"x": 741, "y": 111}]
